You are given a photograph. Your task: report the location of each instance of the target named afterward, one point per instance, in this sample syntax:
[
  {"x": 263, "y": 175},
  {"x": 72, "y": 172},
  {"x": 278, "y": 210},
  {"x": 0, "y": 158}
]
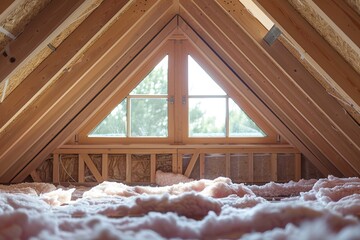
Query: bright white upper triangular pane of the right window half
[{"x": 200, "y": 83}]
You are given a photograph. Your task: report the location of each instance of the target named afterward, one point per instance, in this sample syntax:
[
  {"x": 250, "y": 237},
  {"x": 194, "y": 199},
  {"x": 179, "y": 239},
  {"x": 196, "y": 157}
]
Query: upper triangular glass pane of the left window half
[{"x": 155, "y": 82}]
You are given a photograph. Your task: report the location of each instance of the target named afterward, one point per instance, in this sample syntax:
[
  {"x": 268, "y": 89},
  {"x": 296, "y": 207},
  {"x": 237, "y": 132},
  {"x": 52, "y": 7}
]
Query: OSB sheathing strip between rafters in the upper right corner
[{"x": 350, "y": 54}]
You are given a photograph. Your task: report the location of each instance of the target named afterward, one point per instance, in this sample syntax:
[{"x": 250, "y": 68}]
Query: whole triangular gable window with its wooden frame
[{"x": 178, "y": 102}]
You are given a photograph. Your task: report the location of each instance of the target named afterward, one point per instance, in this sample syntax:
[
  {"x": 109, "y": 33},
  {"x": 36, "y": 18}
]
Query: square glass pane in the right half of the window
[{"x": 207, "y": 117}]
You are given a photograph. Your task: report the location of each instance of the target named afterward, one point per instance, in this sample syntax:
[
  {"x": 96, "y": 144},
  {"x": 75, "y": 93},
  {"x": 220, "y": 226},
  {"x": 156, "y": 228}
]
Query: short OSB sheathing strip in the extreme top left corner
[{"x": 17, "y": 19}]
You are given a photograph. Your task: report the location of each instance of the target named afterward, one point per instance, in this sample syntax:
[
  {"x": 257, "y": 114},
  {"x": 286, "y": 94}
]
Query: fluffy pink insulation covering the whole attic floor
[{"x": 182, "y": 208}]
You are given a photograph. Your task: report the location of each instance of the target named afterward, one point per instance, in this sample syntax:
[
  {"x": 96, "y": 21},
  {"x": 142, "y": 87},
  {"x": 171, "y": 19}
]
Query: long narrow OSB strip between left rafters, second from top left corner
[{"x": 18, "y": 77}]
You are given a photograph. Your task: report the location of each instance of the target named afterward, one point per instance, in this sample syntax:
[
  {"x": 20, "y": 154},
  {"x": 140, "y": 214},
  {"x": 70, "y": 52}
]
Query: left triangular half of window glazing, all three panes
[{"x": 144, "y": 112}]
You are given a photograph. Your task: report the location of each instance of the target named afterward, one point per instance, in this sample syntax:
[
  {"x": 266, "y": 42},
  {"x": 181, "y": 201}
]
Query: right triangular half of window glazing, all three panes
[{"x": 212, "y": 113}]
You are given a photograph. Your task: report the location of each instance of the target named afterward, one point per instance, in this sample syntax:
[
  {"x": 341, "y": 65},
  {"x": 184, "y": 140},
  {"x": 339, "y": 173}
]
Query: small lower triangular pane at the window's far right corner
[{"x": 240, "y": 124}]
